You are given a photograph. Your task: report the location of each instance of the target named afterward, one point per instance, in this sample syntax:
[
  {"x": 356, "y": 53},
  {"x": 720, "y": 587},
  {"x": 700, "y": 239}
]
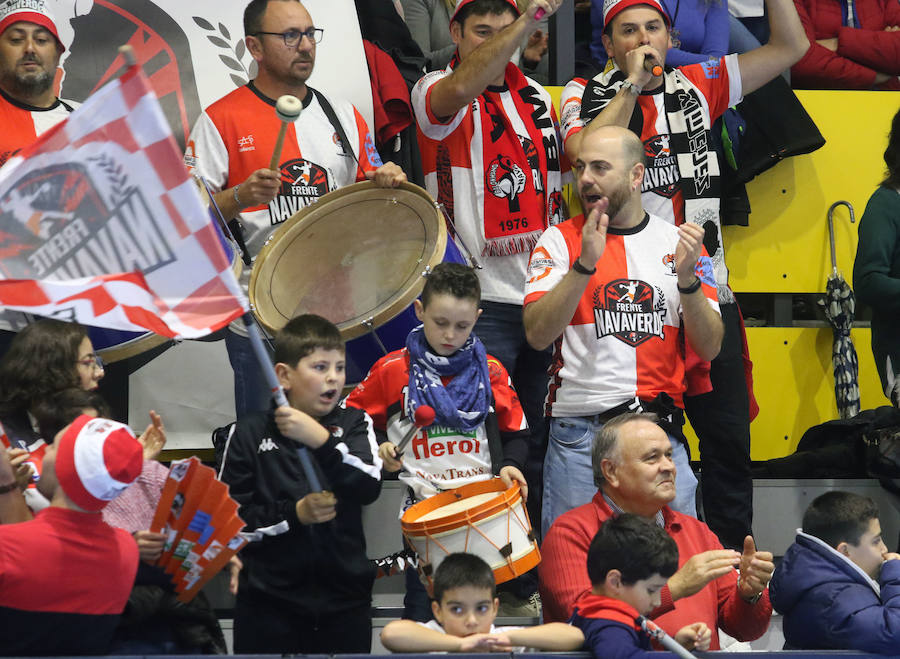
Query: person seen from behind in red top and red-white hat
[{"x": 68, "y": 601}]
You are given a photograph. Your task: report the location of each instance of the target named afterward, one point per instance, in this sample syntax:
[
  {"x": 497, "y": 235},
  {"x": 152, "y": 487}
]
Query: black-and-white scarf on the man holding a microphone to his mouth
[{"x": 689, "y": 135}]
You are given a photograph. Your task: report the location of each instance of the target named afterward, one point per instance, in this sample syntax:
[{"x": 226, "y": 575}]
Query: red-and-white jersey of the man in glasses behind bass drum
[{"x": 236, "y": 135}]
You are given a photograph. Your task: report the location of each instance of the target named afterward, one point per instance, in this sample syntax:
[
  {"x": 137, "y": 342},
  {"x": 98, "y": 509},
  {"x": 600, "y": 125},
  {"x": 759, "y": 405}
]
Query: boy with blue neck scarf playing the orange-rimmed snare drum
[{"x": 479, "y": 429}]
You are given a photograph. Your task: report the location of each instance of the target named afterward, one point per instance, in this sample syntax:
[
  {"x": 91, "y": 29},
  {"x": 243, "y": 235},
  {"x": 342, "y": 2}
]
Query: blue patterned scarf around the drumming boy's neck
[{"x": 464, "y": 402}]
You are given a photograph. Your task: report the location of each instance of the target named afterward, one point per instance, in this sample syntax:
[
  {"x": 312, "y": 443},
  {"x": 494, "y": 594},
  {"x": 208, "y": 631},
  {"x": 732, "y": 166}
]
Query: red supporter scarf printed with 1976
[{"x": 517, "y": 170}]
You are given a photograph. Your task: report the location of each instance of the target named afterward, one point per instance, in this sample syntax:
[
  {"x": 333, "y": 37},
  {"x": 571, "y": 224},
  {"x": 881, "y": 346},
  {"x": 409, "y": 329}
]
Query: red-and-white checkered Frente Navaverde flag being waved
[{"x": 100, "y": 223}]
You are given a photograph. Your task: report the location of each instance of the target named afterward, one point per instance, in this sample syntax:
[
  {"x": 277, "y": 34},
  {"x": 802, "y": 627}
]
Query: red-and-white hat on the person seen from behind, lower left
[{"x": 95, "y": 460}]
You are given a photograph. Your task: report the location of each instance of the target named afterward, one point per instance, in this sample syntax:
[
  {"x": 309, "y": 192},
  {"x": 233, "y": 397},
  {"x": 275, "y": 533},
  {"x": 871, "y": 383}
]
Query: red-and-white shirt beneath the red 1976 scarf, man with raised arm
[{"x": 447, "y": 148}]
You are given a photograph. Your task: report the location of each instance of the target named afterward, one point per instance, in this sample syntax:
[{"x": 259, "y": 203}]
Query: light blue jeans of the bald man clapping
[{"x": 569, "y": 475}]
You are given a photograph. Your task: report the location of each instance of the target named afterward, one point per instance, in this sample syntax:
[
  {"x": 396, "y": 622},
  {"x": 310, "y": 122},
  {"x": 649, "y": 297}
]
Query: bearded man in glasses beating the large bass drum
[{"x": 232, "y": 141}]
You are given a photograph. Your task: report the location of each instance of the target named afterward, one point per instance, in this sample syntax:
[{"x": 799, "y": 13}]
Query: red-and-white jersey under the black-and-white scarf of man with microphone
[{"x": 718, "y": 83}]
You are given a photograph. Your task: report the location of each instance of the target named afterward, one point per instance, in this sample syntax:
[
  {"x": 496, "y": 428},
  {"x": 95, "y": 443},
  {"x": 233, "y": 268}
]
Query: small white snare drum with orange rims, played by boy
[{"x": 484, "y": 518}]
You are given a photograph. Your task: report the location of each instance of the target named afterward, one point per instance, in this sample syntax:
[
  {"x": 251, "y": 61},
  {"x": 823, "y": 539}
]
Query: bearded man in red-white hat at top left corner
[{"x": 29, "y": 54}]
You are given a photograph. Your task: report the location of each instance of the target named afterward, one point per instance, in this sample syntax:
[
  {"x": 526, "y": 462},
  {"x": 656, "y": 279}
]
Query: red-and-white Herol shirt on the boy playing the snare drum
[{"x": 437, "y": 458}]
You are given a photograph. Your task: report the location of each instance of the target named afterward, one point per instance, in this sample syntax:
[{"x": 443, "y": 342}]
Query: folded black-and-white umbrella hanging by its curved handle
[{"x": 840, "y": 306}]
